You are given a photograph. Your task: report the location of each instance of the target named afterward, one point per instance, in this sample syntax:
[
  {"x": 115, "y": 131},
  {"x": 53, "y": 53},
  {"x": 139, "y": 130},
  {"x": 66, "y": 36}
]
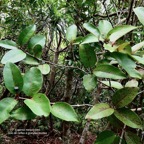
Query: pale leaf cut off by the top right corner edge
[{"x": 139, "y": 11}]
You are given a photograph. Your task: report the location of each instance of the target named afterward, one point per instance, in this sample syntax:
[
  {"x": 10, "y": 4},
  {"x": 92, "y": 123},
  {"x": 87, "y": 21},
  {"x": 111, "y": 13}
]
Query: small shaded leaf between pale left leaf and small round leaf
[{"x": 31, "y": 60}]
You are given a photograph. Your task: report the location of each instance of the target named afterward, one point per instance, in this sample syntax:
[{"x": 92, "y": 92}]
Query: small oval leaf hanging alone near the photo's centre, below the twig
[{"x": 89, "y": 82}]
